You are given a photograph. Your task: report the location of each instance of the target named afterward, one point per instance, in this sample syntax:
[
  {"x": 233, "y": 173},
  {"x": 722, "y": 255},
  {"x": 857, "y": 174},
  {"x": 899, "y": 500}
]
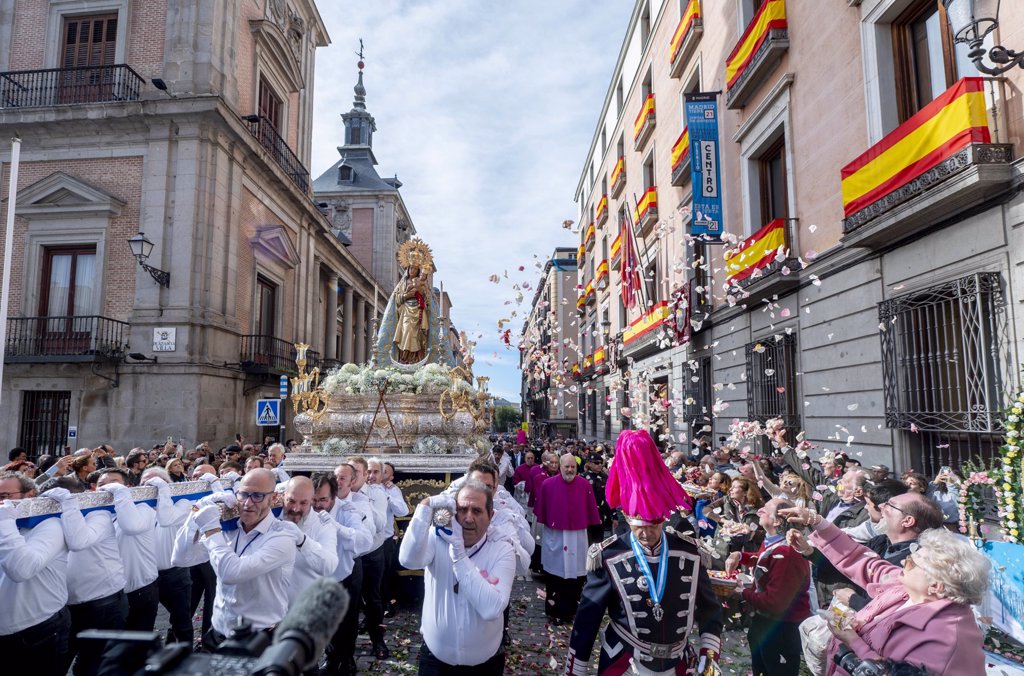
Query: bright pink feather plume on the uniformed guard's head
[{"x": 641, "y": 484}]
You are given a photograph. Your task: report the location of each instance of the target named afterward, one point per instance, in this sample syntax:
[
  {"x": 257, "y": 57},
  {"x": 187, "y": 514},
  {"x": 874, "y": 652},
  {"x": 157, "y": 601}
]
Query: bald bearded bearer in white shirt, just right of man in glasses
[{"x": 318, "y": 552}]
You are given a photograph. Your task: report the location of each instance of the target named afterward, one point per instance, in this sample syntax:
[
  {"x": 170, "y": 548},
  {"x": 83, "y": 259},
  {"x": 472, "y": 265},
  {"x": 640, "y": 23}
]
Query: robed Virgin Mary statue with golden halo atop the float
[{"x": 410, "y": 332}]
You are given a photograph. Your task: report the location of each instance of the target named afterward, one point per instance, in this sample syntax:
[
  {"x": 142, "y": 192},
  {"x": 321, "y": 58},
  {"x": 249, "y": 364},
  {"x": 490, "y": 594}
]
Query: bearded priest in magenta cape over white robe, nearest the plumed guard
[{"x": 566, "y": 508}]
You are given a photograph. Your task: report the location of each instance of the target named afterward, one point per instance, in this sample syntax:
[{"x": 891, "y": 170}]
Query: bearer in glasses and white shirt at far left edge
[{"x": 35, "y": 622}]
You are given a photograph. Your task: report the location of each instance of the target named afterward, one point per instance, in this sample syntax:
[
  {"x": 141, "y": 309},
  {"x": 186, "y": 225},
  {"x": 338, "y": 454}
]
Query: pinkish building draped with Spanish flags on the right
[{"x": 869, "y": 175}]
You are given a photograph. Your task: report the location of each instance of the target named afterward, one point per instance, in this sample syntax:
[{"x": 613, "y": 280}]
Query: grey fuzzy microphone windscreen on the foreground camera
[{"x": 306, "y": 631}]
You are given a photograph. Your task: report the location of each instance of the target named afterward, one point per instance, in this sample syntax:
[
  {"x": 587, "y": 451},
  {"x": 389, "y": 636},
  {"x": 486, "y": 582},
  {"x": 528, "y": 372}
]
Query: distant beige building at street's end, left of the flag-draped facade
[{"x": 548, "y": 351}]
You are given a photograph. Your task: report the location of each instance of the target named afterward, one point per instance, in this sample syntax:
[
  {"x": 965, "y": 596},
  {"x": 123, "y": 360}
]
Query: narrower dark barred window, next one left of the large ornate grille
[{"x": 772, "y": 383}]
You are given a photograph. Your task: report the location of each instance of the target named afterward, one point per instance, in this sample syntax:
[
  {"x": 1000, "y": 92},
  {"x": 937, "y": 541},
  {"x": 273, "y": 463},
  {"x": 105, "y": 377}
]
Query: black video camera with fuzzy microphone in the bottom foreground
[{"x": 297, "y": 644}]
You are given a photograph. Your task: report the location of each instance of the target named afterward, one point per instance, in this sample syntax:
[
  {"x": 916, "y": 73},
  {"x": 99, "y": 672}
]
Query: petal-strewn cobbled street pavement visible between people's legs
[{"x": 537, "y": 647}]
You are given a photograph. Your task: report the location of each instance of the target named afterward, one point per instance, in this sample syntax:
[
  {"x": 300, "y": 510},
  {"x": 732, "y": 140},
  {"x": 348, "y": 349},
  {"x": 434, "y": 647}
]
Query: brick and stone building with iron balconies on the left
[{"x": 191, "y": 122}]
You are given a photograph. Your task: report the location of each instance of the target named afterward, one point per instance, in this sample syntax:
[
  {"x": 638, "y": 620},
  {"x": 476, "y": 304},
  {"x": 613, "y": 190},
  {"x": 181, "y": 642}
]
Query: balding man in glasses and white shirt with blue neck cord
[{"x": 253, "y": 564}]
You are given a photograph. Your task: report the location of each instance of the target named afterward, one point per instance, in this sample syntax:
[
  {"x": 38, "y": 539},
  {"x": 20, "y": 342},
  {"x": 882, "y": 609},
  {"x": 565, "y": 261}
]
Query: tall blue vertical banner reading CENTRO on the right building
[{"x": 702, "y": 121}]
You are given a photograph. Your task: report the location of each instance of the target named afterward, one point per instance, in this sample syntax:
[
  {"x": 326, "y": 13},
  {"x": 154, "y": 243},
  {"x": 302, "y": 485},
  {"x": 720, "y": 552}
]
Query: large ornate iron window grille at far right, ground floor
[{"x": 942, "y": 354}]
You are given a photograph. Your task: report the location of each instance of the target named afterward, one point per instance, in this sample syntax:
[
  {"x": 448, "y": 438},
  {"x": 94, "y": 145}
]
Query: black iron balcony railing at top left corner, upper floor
[{"x": 69, "y": 87}]
